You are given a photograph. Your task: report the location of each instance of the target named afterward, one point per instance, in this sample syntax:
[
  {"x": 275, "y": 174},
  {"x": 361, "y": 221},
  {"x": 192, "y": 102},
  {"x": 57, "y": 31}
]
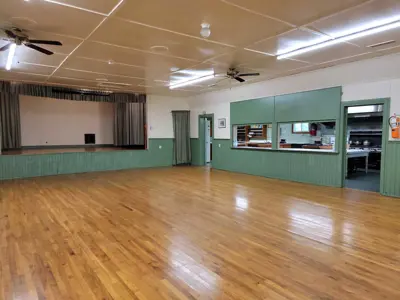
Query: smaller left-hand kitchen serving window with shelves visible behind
[{"x": 252, "y": 135}]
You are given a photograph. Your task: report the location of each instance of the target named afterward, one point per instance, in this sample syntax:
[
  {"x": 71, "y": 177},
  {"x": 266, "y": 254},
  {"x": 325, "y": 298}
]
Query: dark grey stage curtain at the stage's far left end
[{"x": 10, "y": 124}]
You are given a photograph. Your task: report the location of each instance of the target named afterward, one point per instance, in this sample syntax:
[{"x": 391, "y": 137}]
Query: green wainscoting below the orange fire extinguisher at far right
[{"x": 391, "y": 175}]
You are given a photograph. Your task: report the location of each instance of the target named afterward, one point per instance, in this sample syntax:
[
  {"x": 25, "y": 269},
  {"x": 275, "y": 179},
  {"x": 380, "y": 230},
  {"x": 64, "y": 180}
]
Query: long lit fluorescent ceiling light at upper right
[{"x": 341, "y": 40}]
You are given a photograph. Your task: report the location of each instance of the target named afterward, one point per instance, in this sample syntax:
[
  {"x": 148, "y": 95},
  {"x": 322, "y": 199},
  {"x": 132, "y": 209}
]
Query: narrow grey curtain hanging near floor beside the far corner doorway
[{"x": 182, "y": 151}]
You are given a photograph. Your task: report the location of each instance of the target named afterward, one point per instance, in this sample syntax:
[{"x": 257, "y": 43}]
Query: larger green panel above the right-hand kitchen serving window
[{"x": 307, "y": 106}]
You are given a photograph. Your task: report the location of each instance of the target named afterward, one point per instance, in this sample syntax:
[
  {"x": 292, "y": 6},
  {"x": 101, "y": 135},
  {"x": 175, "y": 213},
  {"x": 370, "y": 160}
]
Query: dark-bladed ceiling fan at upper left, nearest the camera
[{"x": 19, "y": 37}]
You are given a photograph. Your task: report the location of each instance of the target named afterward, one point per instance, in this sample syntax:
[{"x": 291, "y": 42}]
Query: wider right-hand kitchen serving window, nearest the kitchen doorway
[{"x": 307, "y": 136}]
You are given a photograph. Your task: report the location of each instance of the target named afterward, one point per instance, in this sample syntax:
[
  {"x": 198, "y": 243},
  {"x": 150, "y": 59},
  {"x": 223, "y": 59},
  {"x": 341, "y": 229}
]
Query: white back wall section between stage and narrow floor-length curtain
[{"x": 159, "y": 115}]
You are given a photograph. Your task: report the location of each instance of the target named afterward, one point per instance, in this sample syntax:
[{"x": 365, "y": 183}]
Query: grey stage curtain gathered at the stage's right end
[{"x": 129, "y": 124}]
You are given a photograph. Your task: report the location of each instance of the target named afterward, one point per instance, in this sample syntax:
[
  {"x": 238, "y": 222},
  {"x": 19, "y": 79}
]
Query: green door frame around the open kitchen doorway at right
[{"x": 343, "y": 134}]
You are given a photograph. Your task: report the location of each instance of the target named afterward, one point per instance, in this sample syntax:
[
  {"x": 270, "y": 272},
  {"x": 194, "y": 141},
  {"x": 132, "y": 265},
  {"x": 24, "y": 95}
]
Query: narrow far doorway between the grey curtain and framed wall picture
[{"x": 206, "y": 123}]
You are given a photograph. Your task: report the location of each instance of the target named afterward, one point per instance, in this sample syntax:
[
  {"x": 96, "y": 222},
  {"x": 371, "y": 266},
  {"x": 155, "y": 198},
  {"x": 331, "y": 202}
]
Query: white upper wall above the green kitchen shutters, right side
[{"x": 367, "y": 79}]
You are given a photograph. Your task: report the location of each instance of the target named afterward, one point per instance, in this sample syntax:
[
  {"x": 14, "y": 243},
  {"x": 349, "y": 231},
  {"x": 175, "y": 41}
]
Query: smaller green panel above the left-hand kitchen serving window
[{"x": 252, "y": 111}]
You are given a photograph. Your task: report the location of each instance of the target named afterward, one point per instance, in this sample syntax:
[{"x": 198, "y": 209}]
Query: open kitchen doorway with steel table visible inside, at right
[{"x": 365, "y": 136}]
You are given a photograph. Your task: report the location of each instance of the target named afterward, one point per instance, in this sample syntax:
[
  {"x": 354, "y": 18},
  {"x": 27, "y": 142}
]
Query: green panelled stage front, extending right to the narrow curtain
[{"x": 23, "y": 166}]
